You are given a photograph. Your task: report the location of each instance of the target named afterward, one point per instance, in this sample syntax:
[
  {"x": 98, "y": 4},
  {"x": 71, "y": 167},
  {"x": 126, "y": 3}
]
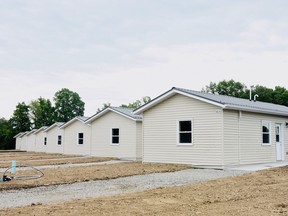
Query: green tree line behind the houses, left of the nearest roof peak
[{"x": 41, "y": 112}]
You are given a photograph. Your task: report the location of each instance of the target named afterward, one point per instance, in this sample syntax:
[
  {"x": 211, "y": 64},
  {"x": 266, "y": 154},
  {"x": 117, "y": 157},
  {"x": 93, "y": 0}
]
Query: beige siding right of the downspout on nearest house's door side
[{"x": 251, "y": 148}]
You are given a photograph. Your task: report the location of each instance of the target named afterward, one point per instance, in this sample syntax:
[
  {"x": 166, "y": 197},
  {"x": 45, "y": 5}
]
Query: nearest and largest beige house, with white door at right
[{"x": 189, "y": 127}]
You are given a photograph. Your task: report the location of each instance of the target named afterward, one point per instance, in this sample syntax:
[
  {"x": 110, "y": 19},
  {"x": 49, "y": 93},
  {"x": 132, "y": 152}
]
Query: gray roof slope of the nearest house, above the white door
[{"x": 238, "y": 103}]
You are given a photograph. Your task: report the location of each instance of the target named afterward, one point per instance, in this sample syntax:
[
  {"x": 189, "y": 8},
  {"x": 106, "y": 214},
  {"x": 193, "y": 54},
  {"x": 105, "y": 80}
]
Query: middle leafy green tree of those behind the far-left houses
[{"x": 42, "y": 112}]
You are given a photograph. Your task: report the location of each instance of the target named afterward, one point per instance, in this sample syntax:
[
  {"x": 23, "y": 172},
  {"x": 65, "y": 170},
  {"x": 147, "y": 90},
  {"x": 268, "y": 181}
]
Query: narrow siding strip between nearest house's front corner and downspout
[{"x": 231, "y": 137}]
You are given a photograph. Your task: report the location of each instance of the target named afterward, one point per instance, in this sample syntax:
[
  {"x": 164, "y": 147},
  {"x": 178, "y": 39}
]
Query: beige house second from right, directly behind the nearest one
[{"x": 116, "y": 132}]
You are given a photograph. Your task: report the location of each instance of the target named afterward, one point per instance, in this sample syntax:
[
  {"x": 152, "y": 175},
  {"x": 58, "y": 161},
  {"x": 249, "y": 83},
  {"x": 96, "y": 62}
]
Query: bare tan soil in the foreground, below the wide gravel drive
[{"x": 261, "y": 193}]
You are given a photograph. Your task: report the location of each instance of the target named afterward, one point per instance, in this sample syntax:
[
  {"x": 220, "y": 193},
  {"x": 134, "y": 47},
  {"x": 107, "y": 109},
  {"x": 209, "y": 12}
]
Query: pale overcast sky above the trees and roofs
[{"x": 118, "y": 51}]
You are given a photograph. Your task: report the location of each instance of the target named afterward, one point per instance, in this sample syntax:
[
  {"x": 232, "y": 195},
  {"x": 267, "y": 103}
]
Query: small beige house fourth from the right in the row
[{"x": 54, "y": 138}]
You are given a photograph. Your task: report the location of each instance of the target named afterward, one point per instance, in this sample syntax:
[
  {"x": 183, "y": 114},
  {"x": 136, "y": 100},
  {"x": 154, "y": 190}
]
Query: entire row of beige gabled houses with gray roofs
[{"x": 180, "y": 126}]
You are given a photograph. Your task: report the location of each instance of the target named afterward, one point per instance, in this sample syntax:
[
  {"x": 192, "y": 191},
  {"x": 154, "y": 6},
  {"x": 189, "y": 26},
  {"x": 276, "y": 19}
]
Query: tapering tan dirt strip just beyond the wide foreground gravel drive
[{"x": 89, "y": 173}]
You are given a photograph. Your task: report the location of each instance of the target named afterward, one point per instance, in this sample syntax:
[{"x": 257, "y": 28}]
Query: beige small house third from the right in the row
[{"x": 76, "y": 136}]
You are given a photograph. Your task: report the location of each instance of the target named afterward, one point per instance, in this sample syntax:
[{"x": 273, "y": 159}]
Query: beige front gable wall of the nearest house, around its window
[{"x": 160, "y": 132}]
